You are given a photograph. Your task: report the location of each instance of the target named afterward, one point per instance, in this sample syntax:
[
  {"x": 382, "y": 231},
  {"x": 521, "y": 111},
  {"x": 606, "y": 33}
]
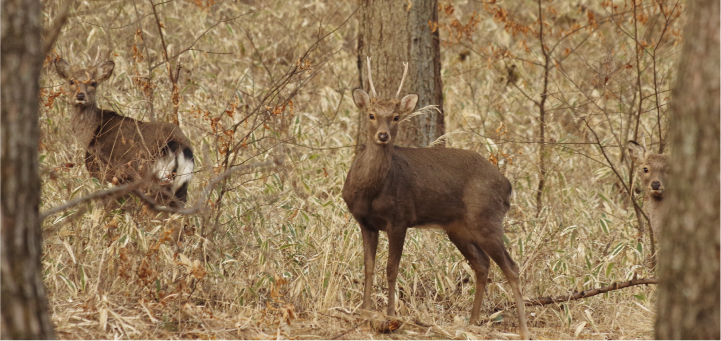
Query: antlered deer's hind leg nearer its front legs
[{"x": 479, "y": 263}]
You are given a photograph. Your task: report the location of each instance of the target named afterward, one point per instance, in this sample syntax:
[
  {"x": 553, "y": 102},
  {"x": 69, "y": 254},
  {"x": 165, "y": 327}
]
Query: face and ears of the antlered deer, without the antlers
[{"x": 383, "y": 116}]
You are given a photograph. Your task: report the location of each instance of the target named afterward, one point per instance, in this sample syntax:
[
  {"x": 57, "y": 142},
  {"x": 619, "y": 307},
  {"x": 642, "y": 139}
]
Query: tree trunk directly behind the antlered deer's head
[{"x": 392, "y": 33}]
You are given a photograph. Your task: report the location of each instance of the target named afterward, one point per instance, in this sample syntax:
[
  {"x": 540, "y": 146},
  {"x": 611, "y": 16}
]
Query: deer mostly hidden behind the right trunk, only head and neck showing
[{"x": 652, "y": 171}]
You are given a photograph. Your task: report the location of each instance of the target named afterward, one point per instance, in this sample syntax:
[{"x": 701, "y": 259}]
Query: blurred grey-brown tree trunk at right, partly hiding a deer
[{"x": 688, "y": 293}]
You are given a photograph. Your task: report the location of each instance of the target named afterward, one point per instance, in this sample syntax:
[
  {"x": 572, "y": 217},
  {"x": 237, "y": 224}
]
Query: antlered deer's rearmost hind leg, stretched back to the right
[{"x": 492, "y": 243}]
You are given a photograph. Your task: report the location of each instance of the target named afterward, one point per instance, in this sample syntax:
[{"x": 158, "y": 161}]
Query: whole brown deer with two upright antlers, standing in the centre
[{"x": 392, "y": 189}]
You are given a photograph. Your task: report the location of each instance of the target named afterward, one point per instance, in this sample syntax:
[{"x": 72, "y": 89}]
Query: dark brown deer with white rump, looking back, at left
[{"x": 120, "y": 149}]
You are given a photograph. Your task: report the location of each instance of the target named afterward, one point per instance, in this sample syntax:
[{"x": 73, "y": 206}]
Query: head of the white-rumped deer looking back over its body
[{"x": 83, "y": 83}]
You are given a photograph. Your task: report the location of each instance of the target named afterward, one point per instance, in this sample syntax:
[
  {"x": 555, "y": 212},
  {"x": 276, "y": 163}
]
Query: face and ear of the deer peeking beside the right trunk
[{"x": 652, "y": 171}]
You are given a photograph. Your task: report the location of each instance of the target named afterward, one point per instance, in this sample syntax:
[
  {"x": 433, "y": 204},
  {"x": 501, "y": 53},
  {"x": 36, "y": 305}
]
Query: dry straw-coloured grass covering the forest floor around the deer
[{"x": 277, "y": 255}]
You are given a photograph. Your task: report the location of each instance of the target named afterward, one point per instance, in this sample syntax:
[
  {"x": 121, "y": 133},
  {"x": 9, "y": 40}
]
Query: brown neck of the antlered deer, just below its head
[{"x": 371, "y": 167}]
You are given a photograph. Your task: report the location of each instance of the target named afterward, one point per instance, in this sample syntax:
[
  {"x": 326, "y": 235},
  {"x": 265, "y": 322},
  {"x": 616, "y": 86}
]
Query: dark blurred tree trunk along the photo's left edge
[{"x": 24, "y": 306}]
